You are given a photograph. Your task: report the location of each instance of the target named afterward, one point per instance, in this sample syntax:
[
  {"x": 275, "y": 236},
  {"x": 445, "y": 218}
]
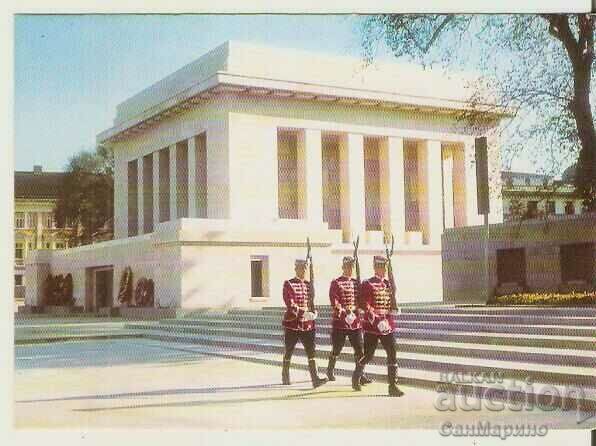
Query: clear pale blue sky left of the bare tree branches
[{"x": 72, "y": 71}]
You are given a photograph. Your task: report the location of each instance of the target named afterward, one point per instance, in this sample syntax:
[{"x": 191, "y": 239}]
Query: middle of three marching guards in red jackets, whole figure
[{"x": 347, "y": 322}]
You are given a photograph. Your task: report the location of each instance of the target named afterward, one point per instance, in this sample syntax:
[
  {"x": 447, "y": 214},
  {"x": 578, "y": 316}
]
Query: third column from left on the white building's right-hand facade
[{"x": 391, "y": 159}]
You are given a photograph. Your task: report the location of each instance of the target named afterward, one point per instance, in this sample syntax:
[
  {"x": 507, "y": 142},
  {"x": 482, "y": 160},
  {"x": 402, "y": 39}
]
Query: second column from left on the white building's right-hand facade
[{"x": 352, "y": 186}]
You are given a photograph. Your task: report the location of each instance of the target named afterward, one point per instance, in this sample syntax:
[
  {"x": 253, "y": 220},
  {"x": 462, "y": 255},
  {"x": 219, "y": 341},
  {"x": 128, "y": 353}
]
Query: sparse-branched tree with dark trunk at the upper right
[{"x": 539, "y": 66}]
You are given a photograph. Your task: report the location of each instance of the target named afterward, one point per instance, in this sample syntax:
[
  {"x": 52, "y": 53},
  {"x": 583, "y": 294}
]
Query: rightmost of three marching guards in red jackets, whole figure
[{"x": 378, "y": 324}]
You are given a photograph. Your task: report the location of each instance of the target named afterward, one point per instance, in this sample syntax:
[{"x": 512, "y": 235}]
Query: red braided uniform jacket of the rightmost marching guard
[{"x": 376, "y": 303}]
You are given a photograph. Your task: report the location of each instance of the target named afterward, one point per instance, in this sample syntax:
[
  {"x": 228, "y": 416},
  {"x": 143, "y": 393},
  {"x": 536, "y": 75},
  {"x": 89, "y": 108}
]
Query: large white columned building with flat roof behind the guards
[{"x": 225, "y": 167}]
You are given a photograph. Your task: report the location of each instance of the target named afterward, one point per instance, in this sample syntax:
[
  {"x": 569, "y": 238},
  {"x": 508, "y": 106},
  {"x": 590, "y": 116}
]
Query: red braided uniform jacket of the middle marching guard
[{"x": 343, "y": 295}]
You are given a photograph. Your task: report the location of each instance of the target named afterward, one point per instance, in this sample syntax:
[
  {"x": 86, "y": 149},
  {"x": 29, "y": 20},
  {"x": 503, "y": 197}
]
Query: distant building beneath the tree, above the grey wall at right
[{"x": 530, "y": 195}]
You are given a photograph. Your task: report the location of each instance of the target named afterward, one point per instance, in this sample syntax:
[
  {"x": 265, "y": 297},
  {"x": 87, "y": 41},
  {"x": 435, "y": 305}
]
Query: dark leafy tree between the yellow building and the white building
[{"x": 86, "y": 198}]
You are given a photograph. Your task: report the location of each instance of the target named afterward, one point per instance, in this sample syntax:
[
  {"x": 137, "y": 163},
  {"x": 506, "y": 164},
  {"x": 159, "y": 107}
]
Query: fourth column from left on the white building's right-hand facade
[{"x": 435, "y": 192}]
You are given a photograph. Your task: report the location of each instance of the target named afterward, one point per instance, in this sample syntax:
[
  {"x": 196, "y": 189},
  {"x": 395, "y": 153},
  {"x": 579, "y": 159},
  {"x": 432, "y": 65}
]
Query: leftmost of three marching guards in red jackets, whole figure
[{"x": 299, "y": 323}]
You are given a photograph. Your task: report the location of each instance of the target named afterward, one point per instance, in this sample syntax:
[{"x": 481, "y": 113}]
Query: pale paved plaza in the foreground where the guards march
[{"x": 142, "y": 383}]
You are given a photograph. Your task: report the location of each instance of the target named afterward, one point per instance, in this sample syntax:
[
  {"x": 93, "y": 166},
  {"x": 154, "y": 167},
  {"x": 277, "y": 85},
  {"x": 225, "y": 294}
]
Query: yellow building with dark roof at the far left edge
[{"x": 35, "y": 195}]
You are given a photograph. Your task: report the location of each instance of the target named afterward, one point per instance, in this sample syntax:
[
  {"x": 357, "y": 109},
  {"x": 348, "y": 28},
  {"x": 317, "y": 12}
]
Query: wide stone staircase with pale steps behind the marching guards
[{"x": 539, "y": 355}]
